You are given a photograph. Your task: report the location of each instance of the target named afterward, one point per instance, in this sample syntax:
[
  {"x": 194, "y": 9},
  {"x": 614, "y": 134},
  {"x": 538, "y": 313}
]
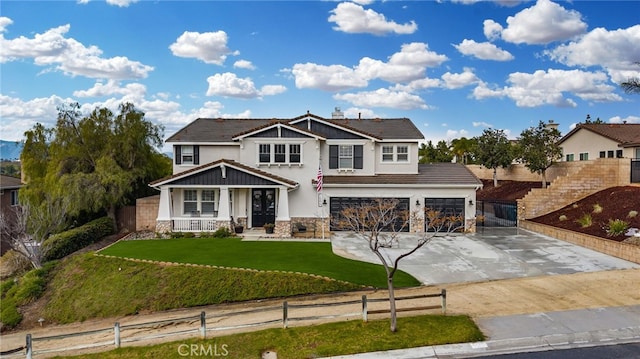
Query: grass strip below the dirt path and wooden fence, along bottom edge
[{"x": 317, "y": 341}]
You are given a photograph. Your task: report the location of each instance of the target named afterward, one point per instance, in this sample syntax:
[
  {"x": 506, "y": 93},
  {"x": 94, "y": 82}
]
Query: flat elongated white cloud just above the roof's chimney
[{"x": 384, "y": 98}]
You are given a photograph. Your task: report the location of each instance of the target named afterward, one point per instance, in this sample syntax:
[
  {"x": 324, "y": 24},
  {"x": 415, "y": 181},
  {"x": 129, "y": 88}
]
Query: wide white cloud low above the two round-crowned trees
[{"x": 549, "y": 88}]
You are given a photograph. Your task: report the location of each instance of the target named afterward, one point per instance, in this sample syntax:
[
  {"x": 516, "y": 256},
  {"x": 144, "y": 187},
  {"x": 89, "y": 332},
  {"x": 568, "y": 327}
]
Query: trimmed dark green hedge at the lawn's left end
[{"x": 62, "y": 244}]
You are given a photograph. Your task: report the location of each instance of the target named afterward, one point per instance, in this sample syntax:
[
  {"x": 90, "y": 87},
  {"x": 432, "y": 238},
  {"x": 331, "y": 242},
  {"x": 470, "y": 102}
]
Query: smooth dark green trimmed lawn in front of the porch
[{"x": 305, "y": 257}]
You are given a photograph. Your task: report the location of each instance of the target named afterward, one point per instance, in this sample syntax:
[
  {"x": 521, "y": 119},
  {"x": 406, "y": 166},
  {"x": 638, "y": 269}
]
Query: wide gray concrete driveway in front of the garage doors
[{"x": 490, "y": 254}]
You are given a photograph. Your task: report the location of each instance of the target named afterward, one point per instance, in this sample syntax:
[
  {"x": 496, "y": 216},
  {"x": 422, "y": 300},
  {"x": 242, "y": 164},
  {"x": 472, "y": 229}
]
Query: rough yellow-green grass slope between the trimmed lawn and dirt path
[{"x": 86, "y": 286}]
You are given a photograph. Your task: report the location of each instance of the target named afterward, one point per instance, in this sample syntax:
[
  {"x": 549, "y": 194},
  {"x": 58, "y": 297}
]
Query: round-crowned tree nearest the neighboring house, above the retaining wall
[{"x": 538, "y": 149}]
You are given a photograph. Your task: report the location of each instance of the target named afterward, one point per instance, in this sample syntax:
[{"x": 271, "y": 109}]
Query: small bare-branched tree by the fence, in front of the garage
[{"x": 381, "y": 222}]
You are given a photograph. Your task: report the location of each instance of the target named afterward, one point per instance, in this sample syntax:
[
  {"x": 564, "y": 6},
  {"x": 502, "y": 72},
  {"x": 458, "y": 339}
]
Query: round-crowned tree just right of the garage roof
[{"x": 493, "y": 149}]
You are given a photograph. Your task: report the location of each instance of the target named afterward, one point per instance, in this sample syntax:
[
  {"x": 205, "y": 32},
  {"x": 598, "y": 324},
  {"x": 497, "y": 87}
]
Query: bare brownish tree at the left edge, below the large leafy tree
[{"x": 28, "y": 227}]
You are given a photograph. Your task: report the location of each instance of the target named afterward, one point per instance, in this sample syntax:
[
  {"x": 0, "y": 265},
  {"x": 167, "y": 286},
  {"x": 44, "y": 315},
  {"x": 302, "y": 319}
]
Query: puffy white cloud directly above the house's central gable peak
[{"x": 328, "y": 78}]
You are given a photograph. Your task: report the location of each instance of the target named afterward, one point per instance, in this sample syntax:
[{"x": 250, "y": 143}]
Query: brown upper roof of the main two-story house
[{"x": 223, "y": 130}]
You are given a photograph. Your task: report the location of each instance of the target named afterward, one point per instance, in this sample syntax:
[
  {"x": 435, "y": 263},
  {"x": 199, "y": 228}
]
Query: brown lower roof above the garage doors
[{"x": 430, "y": 174}]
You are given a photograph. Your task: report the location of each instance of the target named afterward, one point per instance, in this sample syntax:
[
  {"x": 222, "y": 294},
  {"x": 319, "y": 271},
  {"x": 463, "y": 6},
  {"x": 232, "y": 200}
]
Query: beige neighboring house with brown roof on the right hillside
[{"x": 601, "y": 140}]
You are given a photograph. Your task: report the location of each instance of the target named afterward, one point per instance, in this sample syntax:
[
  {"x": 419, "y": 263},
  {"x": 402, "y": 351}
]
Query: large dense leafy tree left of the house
[{"x": 97, "y": 162}]
